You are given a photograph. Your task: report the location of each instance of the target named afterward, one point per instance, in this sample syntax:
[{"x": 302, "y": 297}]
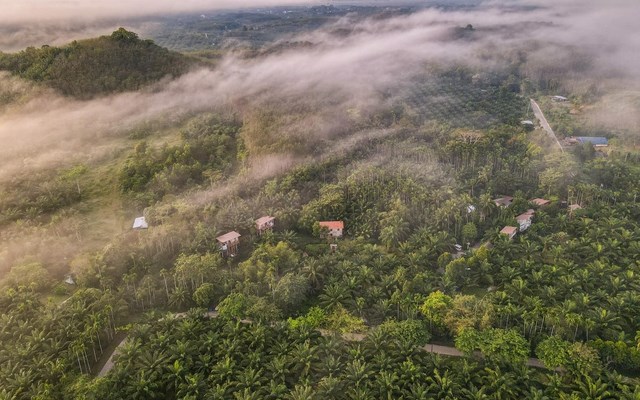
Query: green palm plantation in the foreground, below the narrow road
[{"x": 199, "y": 358}]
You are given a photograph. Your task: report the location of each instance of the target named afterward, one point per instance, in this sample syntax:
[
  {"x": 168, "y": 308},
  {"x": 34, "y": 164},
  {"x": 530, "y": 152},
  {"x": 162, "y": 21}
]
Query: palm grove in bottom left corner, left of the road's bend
[{"x": 43, "y": 347}]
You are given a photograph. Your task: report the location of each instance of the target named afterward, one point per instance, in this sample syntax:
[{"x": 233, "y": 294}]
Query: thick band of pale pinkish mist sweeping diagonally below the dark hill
[{"x": 338, "y": 70}]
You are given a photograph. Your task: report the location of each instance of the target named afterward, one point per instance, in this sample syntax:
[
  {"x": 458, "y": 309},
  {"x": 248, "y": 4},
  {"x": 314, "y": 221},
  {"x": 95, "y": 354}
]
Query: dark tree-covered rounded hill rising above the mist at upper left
[{"x": 93, "y": 67}]
